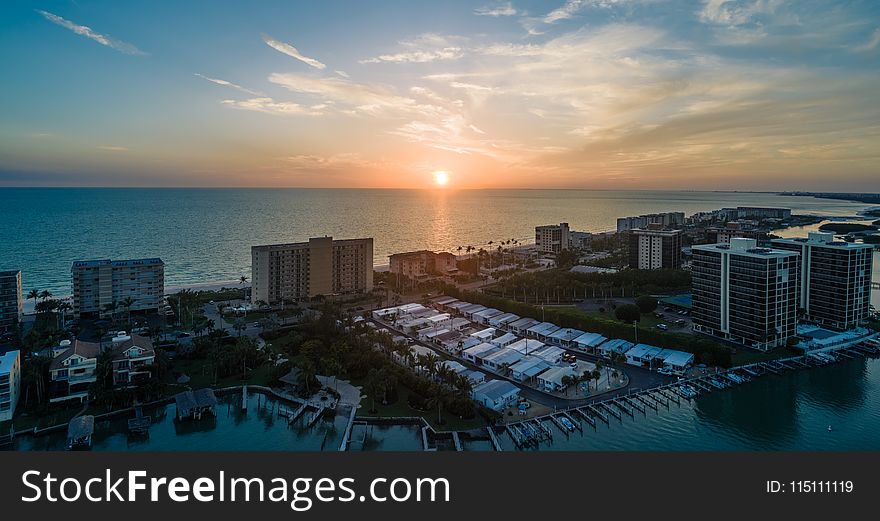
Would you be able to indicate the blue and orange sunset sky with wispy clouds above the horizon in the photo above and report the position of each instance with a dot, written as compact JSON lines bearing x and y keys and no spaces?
{"x":605,"y":94}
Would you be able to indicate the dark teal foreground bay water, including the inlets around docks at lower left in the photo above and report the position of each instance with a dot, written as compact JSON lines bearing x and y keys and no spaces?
{"x":791,"y":411}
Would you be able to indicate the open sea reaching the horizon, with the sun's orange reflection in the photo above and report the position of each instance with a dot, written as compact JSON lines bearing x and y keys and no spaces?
{"x":205,"y":235}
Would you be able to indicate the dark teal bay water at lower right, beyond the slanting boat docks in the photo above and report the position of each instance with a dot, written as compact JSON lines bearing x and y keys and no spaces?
{"x":787,"y":412}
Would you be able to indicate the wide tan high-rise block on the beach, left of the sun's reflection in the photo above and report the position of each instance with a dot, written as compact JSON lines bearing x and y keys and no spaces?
{"x":300,"y":271}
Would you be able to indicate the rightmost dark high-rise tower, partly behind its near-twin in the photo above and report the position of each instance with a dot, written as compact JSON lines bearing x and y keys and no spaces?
{"x":835,"y":279}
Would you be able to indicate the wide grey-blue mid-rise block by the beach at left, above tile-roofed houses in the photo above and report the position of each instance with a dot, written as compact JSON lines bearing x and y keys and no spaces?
{"x":98,"y":284}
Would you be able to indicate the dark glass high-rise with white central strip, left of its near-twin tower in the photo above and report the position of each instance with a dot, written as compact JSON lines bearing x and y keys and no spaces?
{"x":745,"y":294}
